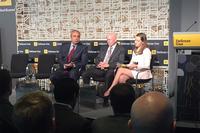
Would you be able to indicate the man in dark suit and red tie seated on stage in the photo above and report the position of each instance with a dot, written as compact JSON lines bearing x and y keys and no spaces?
{"x":72,"y":58}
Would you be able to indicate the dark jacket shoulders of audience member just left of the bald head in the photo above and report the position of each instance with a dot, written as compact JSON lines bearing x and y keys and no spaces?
{"x":111,"y":124}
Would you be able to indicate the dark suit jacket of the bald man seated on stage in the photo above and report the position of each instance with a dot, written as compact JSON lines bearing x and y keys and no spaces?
{"x":116,"y":57}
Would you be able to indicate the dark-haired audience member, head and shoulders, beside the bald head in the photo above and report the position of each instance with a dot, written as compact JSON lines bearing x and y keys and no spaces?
{"x":122,"y":96}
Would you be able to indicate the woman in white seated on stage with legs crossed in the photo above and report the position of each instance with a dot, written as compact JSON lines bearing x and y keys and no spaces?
{"x":141,"y":59}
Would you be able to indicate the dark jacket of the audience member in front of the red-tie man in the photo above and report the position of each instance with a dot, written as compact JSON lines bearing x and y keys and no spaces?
{"x":69,"y":122}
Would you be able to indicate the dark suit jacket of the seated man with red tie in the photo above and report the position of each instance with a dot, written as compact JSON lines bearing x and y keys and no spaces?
{"x":80,"y":56}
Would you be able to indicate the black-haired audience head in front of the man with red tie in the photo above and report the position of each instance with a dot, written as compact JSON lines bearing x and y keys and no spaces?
{"x":66,"y":90}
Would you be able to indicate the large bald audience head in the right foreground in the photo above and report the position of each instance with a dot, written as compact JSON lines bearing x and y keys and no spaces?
{"x":152,"y":113}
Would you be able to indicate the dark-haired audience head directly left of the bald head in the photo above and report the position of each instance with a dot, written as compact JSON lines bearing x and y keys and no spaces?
{"x":122,"y":96}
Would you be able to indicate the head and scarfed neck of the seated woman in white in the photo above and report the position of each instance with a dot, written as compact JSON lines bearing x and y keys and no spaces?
{"x":140,"y":43}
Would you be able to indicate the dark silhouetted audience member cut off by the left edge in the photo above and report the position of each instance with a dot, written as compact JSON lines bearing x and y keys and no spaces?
{"x":6,"y":108}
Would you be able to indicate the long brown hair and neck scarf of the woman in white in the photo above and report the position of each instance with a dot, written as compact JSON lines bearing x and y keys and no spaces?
{"x":140,"y":49}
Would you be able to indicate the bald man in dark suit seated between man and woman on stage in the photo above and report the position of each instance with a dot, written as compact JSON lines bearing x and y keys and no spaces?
{"x":106,"y":63}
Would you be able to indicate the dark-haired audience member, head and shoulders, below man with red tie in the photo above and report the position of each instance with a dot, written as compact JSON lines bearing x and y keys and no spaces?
{"x":66,"y":91}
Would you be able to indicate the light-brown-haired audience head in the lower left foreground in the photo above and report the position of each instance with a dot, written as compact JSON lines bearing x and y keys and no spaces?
{"x":33,"y":113}
